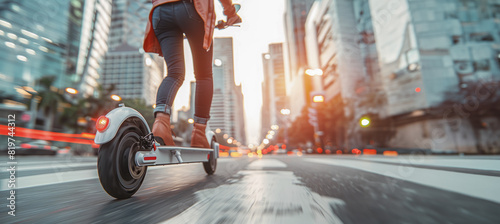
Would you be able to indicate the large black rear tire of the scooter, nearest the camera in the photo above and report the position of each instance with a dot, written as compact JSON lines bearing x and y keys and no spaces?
{"x":118,"y":174}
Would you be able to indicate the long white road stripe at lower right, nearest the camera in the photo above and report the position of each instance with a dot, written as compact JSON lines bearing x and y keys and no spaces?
{"x":479,"y":186}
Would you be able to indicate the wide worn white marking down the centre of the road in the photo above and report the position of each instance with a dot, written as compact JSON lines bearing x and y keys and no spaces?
{"x":257,"y":196}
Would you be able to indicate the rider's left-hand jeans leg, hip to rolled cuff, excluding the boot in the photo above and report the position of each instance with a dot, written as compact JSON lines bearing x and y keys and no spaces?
{"x":171,"y":41}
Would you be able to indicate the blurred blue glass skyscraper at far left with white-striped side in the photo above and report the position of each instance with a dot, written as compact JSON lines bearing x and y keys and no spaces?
{"x":65,"y":40}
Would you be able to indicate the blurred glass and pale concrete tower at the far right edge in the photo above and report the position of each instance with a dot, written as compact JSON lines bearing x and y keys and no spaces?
{"x":428,"y":53}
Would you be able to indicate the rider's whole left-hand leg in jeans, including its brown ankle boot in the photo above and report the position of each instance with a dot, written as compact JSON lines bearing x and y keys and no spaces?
{"x":170,"y":37}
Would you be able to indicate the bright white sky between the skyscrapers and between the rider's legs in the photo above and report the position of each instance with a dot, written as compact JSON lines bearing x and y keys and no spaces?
{"x":262,"y":25}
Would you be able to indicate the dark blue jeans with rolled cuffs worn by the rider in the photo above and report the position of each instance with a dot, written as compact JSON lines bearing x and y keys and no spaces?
{"x":170,"y":22}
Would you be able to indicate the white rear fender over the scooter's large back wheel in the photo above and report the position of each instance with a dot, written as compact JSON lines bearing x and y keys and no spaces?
{"x":116,"y":118}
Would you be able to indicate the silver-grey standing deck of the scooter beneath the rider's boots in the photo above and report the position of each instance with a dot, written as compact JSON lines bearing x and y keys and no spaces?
{"x":166,"y":155}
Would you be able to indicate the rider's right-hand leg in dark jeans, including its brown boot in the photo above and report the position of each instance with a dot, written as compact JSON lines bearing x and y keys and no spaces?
{"x":202,"y":61}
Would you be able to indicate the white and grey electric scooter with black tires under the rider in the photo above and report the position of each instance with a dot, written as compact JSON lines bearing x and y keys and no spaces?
{"x":127,"y":148}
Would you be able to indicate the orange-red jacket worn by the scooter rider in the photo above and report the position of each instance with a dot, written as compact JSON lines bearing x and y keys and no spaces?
{"x":205,"y":9}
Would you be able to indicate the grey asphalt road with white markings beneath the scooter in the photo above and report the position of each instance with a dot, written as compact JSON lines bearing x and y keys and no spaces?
{"x":274,"y":189}
